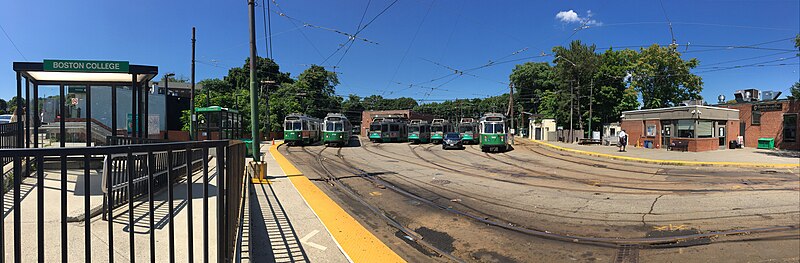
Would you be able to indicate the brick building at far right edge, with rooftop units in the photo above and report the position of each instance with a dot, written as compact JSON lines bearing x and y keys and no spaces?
{"x":776,"y":119}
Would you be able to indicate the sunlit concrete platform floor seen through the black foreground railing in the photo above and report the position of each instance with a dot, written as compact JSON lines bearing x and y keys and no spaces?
{"x":100,"y":243}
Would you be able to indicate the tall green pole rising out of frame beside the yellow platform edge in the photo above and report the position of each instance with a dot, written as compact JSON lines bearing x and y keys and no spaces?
{"x":253,"y":91}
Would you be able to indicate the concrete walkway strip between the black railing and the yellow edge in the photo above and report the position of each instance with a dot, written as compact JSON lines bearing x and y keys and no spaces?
{"x":282,"y":226}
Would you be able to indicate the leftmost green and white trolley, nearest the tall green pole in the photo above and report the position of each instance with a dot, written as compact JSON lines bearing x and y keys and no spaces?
{"x":300,"y":129}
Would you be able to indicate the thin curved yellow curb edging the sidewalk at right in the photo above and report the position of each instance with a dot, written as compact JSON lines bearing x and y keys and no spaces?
{"x":669,"y":162}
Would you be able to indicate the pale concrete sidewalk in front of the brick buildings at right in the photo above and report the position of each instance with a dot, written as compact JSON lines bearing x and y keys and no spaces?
{"x":735,"y":157}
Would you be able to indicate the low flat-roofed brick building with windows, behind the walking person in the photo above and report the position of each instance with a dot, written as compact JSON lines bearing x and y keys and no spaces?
{"x":701,"y":128}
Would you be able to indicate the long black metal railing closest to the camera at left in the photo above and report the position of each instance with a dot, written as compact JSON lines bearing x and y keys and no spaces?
{"x":146,"y":168}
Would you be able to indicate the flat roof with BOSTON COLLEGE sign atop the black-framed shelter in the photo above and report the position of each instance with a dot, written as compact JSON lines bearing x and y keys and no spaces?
{"x":39,"y":73}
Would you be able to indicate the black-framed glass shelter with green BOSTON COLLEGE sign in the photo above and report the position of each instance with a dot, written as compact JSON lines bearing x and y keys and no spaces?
{"x":75,"y":81}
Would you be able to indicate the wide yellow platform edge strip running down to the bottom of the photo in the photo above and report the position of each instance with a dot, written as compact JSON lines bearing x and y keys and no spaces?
{"x":358,"y":243}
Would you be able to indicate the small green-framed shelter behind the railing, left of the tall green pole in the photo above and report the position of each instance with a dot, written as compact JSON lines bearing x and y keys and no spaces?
{"x":219,"y":123}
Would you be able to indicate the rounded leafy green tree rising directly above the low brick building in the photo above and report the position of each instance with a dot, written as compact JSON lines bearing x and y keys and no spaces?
{"x":663,"y":78}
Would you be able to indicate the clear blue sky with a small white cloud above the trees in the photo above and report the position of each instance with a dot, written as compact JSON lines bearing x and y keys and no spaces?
{"x":409,"y":35}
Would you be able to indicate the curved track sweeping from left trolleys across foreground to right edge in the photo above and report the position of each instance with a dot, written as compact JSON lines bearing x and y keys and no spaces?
{"x":647,"y":242}
